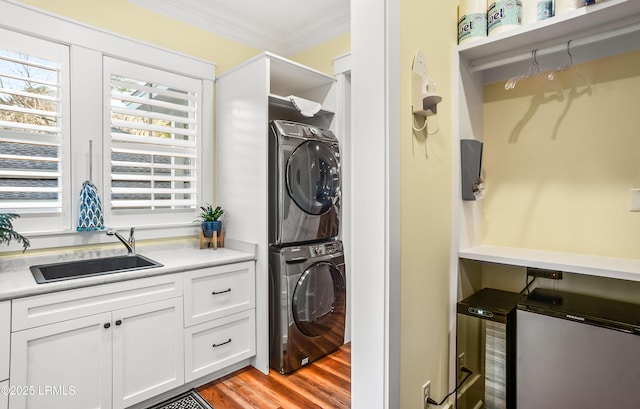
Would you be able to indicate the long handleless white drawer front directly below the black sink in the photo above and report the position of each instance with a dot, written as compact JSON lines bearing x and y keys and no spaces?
{"x":65,"y":305}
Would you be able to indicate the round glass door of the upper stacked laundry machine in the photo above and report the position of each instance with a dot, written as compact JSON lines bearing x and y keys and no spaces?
{"x":313,"y":177}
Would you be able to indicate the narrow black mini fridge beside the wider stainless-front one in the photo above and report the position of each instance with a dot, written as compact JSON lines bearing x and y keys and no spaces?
{"x":486,"y":334}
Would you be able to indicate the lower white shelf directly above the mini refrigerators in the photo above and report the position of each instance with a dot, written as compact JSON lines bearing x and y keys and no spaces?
{"x":611,"y":267}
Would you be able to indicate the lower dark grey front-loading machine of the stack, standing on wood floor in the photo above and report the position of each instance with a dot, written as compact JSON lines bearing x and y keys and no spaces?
{"x":307,"y":293}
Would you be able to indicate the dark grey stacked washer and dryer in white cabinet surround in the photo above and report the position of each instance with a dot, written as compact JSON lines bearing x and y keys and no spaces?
{"x":307,"y":282}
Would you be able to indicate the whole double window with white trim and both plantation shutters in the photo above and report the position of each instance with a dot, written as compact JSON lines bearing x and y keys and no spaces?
{"x":78,"y":104}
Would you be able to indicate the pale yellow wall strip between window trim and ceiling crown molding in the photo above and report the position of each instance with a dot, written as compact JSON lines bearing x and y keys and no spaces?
{"x":122,"y":17}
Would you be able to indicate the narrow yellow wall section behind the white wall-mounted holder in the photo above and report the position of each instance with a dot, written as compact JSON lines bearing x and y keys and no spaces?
{"x":430,"y":26}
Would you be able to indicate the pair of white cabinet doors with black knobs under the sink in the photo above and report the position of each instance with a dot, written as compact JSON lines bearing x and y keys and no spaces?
{"x":108,"y":360}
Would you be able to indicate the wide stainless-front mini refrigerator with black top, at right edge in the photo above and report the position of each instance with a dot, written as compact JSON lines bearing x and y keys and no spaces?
{"x":577,"y":351}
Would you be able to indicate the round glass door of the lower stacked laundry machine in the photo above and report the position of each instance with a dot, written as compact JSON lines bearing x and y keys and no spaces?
{"x":319,"y":299}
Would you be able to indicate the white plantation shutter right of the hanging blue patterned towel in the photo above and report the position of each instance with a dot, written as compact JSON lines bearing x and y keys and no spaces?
{"x":153,"y":139}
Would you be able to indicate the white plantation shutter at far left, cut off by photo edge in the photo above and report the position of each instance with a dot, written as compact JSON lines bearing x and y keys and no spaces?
{"x":33,"y":130}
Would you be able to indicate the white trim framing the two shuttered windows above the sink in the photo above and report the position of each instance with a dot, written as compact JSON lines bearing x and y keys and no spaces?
{"x":87,"y":47}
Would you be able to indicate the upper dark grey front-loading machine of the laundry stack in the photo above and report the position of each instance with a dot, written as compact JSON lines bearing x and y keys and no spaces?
{"x":304,"y":183}
